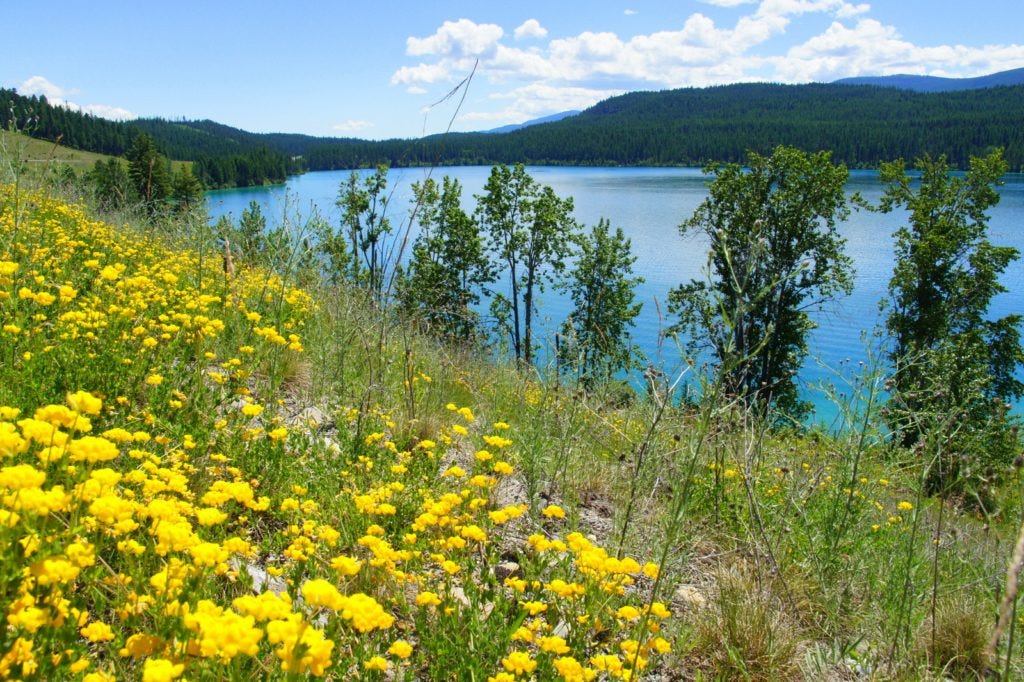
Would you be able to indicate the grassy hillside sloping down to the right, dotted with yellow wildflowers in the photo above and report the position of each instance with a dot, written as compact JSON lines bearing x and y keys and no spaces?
{"x":217,"y":472}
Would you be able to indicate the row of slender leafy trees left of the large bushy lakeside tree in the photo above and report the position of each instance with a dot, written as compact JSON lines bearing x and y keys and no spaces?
{"x":521,"y":241}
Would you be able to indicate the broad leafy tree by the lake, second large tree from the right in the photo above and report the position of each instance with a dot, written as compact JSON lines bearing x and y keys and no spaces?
{"x":776,"y":255}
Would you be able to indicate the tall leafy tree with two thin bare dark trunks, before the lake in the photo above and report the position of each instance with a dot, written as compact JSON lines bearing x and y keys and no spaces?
{"x":530,"y":231}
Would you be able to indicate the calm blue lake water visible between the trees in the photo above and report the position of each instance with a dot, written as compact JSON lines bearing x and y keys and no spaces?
{"x":650,"y":204}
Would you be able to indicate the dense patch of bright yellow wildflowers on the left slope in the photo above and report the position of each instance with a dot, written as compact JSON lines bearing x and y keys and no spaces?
{"x":151,"y":536}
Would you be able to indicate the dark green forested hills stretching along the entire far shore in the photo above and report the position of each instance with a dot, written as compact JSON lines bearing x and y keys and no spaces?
{"x":863,"y":125}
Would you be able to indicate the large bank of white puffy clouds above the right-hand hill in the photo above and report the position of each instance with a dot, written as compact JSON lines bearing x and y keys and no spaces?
{"x":577,"y":71}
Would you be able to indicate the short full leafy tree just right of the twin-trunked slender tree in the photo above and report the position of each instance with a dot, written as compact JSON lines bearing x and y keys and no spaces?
{"x":596,"y":335}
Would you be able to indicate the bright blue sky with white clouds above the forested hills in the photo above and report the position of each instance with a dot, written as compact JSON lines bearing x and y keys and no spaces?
{"x":392,"y":68}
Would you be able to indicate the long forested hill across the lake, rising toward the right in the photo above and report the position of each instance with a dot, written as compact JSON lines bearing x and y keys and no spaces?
{"x":863,"y":125}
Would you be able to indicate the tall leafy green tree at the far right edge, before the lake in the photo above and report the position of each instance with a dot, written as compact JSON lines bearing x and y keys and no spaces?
{"x":954,"y":367}
